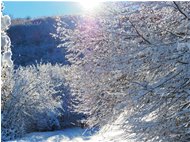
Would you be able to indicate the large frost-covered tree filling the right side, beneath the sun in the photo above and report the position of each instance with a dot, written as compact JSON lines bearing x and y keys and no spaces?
{"x":133,"y":57}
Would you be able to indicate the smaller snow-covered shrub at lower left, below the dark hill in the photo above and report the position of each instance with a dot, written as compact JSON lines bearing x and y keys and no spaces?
{"x":38,"y":97}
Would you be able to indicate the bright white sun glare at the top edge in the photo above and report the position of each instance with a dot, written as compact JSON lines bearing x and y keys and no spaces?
{"x":89,"y":4}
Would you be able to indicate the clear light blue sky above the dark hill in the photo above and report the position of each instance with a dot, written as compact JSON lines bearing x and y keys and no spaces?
{"x":21,"y":9}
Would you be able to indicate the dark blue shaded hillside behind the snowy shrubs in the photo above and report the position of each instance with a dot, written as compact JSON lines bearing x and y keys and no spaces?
{"x":32,"y":42}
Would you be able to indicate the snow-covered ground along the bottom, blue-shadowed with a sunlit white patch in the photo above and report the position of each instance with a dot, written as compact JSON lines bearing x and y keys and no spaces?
{"x":109,"y":133}
